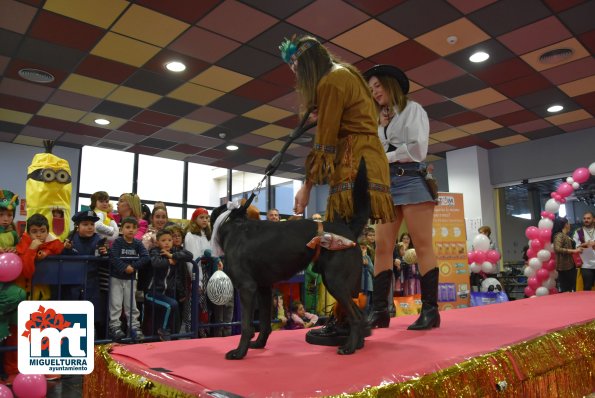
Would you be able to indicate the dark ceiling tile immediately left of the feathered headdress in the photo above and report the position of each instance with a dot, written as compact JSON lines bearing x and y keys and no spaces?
{"x":260,"y":62}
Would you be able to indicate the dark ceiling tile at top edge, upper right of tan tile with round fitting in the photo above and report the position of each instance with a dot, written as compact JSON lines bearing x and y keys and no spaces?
{"x":506,"y":15}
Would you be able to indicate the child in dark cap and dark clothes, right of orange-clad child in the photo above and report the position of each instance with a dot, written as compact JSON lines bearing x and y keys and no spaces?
{"x":84,"y":241}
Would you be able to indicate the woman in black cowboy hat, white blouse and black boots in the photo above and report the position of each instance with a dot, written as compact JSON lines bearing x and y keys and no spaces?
{"x":403,"y":128}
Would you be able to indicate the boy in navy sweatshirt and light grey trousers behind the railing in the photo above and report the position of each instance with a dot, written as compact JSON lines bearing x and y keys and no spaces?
{"x":128,"y":255}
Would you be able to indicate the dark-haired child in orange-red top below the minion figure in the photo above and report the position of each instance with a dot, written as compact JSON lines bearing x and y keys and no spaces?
{"x":35,"y":245}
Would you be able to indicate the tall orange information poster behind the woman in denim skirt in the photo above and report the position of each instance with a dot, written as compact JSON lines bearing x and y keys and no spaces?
{"x":450,"y":245}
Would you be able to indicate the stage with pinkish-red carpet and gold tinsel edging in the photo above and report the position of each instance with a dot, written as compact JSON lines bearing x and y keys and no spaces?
{"x":530,"y":347}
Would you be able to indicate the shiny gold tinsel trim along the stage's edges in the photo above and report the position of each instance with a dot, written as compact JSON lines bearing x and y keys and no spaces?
{"x":558,"y":364}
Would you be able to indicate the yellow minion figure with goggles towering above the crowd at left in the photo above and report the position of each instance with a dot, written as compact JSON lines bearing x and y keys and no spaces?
{"x":49,"y":190}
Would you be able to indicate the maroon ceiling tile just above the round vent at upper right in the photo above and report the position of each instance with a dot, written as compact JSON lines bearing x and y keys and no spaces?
{"x":534,"y":36}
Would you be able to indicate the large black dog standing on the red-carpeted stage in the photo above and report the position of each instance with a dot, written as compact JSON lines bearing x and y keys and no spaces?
{"x":260,"y":253}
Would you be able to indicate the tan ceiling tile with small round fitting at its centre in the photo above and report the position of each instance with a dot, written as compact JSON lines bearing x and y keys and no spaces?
{"x":467,"y":33}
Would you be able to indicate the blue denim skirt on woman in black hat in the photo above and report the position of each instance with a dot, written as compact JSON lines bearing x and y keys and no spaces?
{"x":407,"y":189}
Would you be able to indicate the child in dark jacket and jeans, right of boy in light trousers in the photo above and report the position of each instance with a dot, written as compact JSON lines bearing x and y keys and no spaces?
{"x":165,"y":288}
